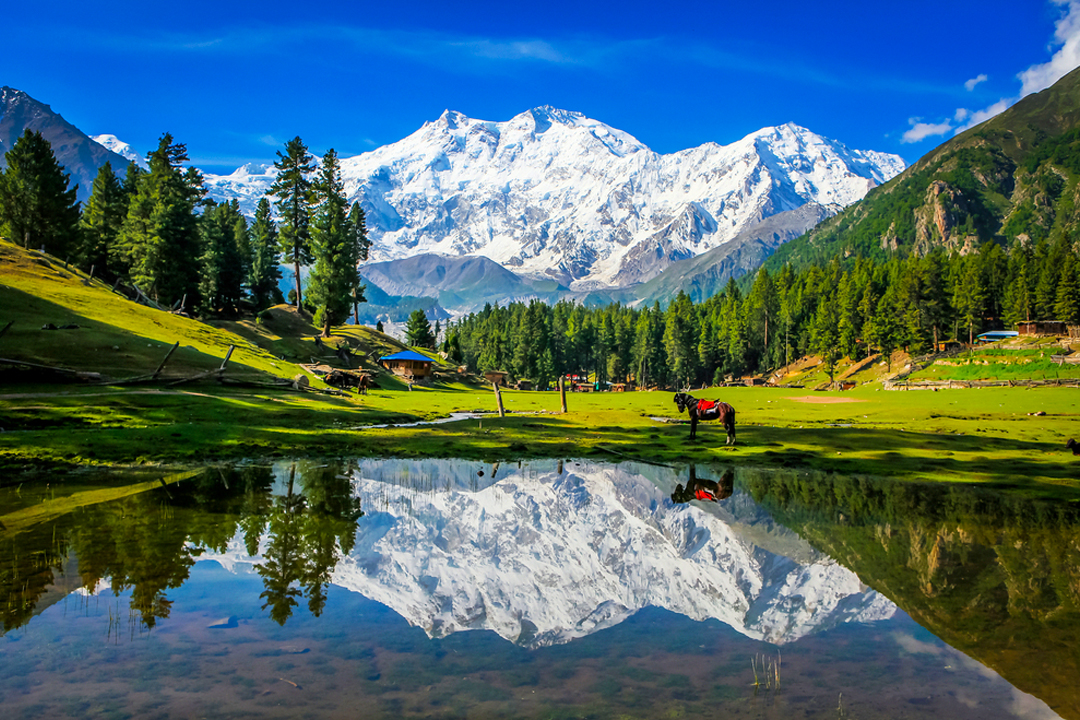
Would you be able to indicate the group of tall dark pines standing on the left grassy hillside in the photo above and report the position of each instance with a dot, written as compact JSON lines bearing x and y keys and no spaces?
{"x":158,"y":230}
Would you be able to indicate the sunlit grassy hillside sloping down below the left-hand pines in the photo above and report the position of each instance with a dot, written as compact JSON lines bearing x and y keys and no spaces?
{"x":119,"y":338}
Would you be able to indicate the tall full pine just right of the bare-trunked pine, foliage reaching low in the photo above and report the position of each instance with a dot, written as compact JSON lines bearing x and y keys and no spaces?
{"x":334,"y":277}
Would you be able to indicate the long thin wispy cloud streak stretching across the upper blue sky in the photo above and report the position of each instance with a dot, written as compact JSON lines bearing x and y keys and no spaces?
{"x":480,"y":55}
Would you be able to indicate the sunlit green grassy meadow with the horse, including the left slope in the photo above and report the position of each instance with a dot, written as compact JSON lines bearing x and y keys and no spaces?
{"x":980,"y":436}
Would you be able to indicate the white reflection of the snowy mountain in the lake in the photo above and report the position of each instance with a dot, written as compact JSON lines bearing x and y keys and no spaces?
{"x":544,"y":555}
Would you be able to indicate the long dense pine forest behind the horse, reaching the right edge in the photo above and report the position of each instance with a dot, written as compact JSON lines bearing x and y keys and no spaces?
{"x":843,"y":308}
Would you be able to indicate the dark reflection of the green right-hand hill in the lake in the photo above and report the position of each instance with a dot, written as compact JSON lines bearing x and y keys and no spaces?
{"x":996,"y":576}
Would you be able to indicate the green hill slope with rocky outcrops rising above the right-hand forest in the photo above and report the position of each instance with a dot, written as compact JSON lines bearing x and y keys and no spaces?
{"x":1015,"y":176}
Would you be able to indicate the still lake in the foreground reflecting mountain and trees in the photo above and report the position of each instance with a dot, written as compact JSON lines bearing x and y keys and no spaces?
{"x":442,"y":589}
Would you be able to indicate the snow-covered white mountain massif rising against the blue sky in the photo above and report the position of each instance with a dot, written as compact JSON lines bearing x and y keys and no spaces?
{"x":553,"y":194}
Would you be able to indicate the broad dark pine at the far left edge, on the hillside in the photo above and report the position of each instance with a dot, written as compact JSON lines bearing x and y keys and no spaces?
{"x":36,"y":206}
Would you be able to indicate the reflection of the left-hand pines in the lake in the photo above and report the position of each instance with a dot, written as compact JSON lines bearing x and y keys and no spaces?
{"x":147,"y":544}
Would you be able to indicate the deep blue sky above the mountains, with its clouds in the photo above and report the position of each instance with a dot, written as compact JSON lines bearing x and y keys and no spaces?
{"x":235,"y":80}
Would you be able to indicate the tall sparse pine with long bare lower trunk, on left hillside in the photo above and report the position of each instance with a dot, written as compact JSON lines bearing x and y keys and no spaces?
{"x":295,"y":196}
